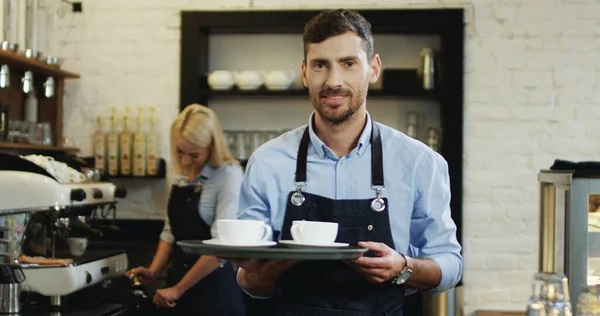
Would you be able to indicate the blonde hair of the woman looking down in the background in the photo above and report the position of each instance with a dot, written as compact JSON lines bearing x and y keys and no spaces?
{"x":200,"y":126}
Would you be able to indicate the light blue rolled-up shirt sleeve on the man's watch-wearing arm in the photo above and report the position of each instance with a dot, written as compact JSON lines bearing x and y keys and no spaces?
{"x":433,"y":232}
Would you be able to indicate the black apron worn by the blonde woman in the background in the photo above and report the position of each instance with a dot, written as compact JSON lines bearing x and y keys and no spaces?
{"x":217,"y":294}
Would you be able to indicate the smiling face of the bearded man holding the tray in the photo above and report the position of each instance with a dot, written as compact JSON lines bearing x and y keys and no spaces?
{"x":337,"y":73}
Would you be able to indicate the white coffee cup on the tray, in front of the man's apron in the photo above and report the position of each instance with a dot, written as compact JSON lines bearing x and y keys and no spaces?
{"x":314,"y":233}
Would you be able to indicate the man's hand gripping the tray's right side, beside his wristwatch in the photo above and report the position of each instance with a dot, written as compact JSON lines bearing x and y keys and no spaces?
{"x":384,"y":267}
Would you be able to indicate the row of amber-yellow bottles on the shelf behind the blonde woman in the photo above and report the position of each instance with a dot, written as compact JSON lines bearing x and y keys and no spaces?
{"x":127,"y":152}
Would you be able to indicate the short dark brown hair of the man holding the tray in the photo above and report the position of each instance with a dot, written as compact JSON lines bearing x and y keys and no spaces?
{"x":336,"y":22}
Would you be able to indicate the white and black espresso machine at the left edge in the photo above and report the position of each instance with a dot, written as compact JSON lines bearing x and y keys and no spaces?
{"x":47,"y":211}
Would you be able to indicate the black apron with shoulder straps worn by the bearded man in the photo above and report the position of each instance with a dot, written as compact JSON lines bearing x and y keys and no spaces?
{"x":333,"y":288}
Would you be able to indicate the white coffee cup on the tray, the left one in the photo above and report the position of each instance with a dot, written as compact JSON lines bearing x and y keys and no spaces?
{"x":243,"y":231}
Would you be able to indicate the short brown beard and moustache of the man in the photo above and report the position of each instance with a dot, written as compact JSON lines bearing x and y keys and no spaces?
{"x":337,"y":118}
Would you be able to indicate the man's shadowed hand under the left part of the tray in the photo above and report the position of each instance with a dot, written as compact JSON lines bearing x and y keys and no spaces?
{"x":260,"y":276}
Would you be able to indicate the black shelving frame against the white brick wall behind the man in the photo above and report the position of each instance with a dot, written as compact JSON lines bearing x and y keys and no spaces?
{"x":447,"y":24}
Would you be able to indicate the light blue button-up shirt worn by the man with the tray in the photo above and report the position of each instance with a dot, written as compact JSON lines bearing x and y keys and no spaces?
{"x":416,"y":185}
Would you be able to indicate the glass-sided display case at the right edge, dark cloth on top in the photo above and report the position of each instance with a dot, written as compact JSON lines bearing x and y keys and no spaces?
{"x":570,"y":224}
